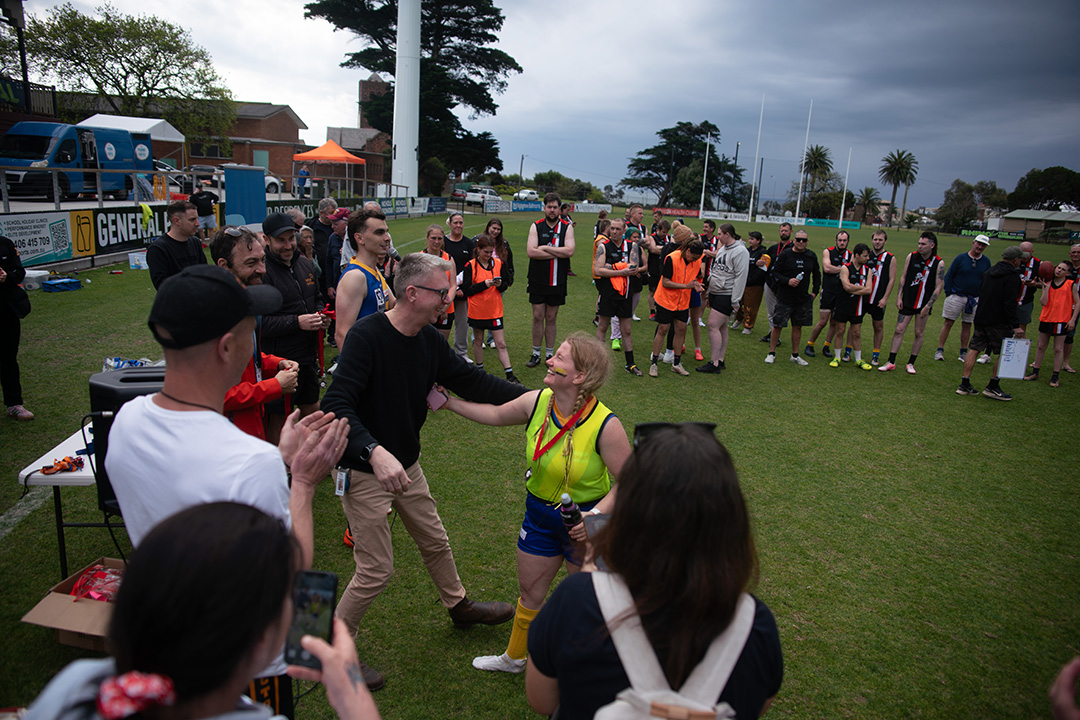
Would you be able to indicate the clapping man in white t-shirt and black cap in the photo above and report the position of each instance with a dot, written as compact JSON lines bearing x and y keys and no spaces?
{"x":175,"y":450}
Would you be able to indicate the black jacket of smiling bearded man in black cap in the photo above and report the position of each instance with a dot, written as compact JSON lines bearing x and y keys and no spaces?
{"x":300,"y":291}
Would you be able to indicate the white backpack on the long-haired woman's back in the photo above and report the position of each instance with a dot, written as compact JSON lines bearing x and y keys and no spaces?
{"x":650,"y":696}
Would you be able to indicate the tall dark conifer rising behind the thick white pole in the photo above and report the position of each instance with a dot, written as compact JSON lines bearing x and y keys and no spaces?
{"x":458,"y":69}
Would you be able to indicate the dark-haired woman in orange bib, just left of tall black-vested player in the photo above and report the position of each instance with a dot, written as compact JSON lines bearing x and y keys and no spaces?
{"x":482,"y":282}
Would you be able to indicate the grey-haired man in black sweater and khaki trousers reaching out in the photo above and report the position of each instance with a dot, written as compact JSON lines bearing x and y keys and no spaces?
{"x":394,"y":360}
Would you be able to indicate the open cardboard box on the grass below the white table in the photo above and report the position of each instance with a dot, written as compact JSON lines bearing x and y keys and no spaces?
{"x":82,"y":622}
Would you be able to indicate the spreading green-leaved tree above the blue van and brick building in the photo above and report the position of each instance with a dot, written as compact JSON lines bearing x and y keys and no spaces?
{"x":134,"y":65}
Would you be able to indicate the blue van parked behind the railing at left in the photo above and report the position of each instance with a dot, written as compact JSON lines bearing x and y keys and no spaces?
{"x":44,"y":146}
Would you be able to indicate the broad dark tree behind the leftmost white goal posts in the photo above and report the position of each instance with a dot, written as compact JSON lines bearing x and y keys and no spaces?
{"x":657,"y":169}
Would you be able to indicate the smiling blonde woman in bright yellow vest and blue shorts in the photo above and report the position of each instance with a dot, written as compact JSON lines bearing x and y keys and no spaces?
{"x":575,"y":445}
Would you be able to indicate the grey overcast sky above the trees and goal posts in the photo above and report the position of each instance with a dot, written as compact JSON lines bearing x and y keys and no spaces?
{"x":975,"y":90}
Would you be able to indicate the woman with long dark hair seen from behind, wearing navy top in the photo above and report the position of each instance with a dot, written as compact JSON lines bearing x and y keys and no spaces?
{"x":680,"y":514}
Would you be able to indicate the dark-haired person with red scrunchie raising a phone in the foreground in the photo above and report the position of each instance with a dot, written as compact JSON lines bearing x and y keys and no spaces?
{"x":196,"y":654}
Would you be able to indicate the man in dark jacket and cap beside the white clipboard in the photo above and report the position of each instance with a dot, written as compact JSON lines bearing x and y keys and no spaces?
{"x":997,"y":318}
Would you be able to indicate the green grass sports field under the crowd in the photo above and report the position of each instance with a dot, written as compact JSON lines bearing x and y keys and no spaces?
{"x":919,"y":549}
